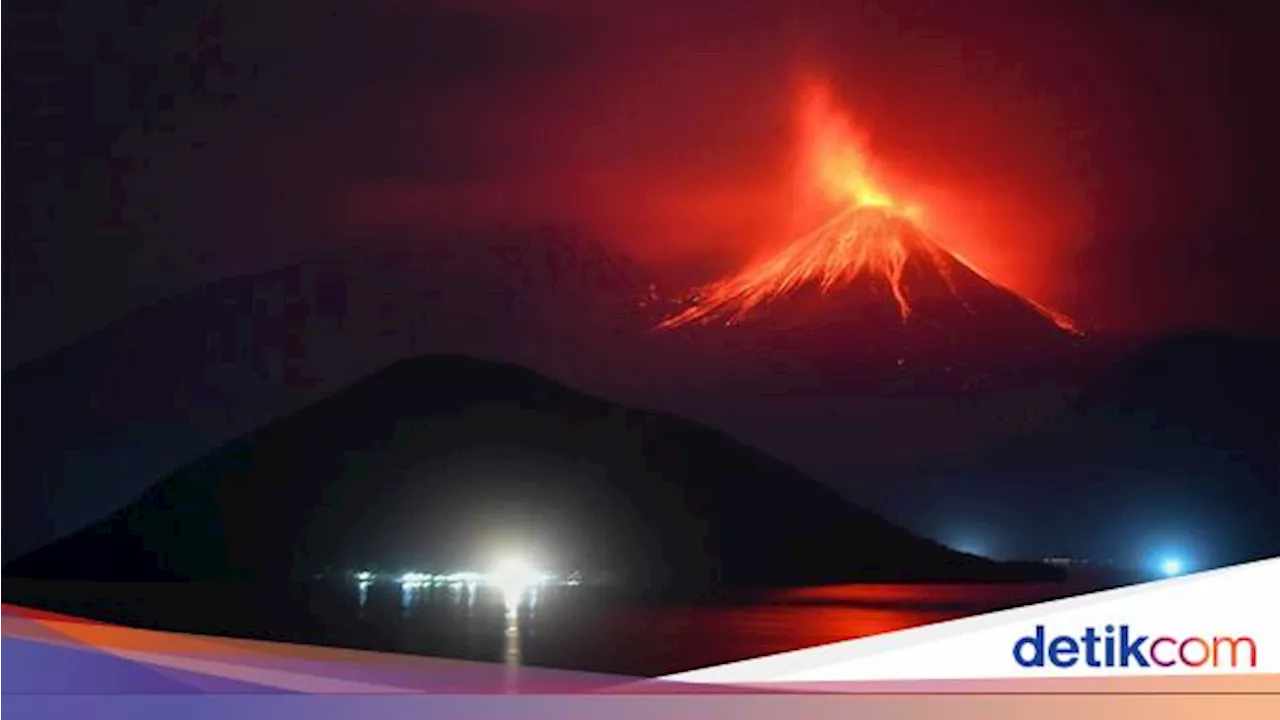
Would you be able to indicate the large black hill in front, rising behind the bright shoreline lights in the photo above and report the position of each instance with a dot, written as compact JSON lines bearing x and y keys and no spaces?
{"x":436,"y":461}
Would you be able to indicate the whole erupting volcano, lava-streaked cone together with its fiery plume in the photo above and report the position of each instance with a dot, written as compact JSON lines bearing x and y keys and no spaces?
{"x":868,"y":299}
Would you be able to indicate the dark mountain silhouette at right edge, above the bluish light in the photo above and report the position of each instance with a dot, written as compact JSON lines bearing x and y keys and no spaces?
{"x":1178,"y":444}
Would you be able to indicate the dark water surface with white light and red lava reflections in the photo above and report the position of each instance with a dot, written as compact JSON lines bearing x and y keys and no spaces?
{"x":561,"y":627}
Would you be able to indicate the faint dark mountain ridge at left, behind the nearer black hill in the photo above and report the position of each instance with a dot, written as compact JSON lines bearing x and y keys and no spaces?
{"x":89,"y":426}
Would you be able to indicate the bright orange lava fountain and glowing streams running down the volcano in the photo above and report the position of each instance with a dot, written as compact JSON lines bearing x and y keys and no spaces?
{"x":868,"y":234}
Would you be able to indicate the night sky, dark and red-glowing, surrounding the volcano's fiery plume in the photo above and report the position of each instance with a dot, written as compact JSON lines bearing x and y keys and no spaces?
{"x":1109,"y":160}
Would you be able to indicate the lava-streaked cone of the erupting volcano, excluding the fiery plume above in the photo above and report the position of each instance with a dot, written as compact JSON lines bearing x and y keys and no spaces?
{"x":842,"y":312}
